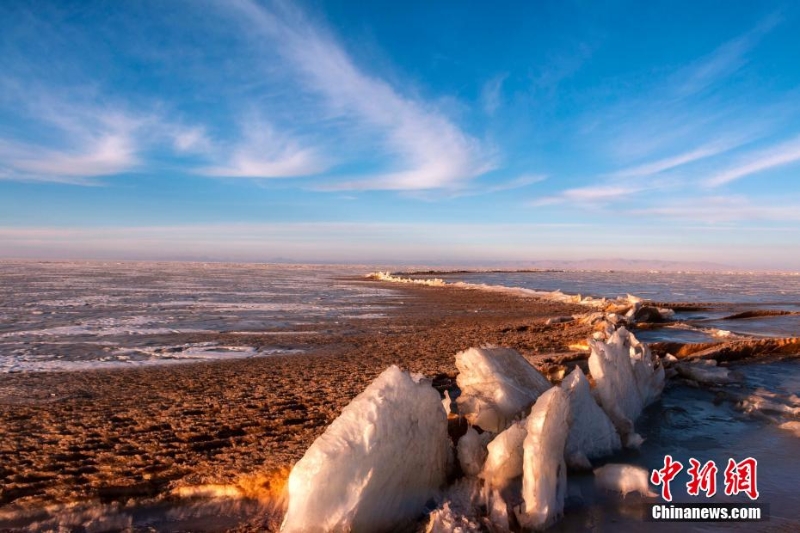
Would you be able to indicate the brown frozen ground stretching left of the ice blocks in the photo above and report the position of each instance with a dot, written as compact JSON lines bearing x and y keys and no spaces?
{"x":142,"y":433}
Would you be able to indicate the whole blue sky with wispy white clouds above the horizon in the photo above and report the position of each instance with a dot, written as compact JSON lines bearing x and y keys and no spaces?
{"x":401,"y":131}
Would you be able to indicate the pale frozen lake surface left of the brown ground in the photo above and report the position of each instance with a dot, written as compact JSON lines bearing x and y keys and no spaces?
{"x":70,"y":316}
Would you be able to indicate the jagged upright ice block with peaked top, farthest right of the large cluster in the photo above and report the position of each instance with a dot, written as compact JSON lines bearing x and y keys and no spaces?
{"x":627,"y":378}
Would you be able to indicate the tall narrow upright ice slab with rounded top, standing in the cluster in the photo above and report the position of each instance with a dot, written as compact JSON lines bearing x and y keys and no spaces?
{"x":544,"y":478}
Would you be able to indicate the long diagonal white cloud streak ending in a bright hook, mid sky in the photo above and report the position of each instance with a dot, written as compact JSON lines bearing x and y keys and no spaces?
{"x":429,"y":149}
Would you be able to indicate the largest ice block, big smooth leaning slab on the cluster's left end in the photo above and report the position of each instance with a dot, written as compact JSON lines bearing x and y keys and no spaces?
{"x":376,"y":465}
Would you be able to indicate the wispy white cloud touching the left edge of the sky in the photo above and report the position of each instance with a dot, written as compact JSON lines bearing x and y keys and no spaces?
{"x":83,"y":137}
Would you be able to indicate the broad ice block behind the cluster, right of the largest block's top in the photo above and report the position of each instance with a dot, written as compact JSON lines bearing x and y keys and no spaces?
{"x":497,"y":384}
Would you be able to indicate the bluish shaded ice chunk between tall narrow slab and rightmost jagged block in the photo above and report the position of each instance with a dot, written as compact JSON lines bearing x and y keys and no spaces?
{"x":591,"y":434}
